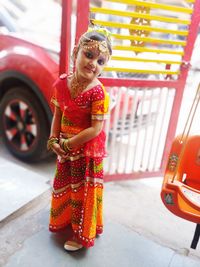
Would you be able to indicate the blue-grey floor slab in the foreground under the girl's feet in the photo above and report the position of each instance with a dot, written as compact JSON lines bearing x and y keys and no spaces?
{"x":119,"y":246}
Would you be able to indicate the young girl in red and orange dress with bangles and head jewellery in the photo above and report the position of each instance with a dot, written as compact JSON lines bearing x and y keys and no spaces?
{"x":81,"y":105}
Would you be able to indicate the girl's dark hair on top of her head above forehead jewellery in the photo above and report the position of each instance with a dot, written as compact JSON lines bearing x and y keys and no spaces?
{"x":94,"y":35}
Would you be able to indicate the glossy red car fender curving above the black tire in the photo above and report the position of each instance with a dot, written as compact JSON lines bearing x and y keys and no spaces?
{"x":30,"y":61}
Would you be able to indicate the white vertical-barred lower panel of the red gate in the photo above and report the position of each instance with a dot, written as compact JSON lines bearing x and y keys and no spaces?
{"x":136,"y":129}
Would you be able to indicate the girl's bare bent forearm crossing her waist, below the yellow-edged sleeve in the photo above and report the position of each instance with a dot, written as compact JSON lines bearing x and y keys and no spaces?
{"x":86,"y":134}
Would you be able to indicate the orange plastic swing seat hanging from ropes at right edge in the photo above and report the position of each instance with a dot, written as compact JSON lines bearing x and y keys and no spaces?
{"x":181,"y":185}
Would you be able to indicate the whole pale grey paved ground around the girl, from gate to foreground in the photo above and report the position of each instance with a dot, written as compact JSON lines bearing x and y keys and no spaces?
{"x":139,"y":231}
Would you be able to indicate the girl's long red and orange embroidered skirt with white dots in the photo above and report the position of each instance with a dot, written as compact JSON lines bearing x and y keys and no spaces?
{"x":77,"y":197}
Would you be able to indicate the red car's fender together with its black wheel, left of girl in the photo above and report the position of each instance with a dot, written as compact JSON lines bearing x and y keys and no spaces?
{"x":27,"y":72}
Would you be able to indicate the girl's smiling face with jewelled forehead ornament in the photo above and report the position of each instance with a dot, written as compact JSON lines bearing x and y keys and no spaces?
{"x":90,"y":62}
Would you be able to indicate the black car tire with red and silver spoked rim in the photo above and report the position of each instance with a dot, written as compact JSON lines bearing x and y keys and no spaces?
{"x":24,"y":125}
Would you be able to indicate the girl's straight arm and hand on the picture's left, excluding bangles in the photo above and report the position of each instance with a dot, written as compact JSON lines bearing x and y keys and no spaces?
{"x":55,"y":131}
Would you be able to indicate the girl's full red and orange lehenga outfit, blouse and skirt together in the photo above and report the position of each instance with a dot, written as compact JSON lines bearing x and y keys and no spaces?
{"x":78,"y":183}
